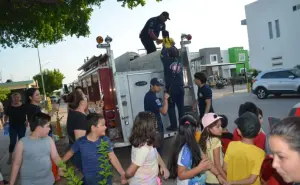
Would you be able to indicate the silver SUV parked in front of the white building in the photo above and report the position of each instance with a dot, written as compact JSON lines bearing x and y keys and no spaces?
{"x":276,"y":82}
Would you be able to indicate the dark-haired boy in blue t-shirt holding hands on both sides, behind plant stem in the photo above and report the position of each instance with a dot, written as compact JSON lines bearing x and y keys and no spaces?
{"x":88,"y":147}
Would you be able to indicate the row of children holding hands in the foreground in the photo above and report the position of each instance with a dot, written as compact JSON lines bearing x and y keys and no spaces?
{"x":216,"y":157}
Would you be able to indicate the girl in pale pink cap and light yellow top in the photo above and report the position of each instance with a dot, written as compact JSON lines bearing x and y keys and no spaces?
{"x":210,"y":144}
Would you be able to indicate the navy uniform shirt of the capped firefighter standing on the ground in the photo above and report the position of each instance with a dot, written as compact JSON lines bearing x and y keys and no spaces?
{"x":153,"y":104}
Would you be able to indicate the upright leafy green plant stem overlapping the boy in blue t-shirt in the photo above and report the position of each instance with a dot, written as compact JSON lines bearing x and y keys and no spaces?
{"x":105,"y":166}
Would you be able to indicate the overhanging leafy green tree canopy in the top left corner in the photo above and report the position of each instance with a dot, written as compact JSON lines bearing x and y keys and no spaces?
{"x":33,"y":22}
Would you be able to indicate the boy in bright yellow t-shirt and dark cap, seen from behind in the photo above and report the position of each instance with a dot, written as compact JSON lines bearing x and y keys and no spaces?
{"x":243,"y":159}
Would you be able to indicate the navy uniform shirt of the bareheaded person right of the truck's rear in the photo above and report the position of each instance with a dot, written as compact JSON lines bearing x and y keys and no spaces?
{"x":204,"y":93}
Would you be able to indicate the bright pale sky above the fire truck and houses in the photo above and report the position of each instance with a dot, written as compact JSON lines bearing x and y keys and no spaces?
{"x":212,"y":23}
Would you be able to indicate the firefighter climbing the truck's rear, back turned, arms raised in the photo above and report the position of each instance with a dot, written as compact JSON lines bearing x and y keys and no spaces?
{"x":173,"y":73}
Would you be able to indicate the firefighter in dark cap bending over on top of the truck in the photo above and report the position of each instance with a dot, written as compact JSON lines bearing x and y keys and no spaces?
{"x":151,"y":31}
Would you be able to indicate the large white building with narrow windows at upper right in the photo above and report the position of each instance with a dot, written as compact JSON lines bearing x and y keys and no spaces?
{"x":274,"y":33}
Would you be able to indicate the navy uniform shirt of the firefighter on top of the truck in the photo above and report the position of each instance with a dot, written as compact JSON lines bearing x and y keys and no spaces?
{"x":155,"y":24}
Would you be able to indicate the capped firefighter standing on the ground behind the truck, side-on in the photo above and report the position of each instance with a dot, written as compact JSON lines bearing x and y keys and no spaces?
{"x":154,"y":105}
